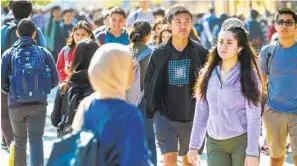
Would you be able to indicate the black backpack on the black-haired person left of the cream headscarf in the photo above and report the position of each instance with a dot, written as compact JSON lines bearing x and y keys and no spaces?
{"x":73,"y":95}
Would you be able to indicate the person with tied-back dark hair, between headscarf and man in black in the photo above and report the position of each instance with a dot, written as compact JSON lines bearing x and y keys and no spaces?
{"x":139,"y":37}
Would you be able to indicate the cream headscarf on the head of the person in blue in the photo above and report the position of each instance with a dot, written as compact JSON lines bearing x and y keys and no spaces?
{"x":111,"y":71}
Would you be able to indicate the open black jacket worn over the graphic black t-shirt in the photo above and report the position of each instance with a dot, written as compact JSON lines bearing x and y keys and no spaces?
{"x":154,"y":81}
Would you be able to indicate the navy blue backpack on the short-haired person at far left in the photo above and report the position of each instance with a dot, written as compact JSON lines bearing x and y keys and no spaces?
{"x":30,"y":78}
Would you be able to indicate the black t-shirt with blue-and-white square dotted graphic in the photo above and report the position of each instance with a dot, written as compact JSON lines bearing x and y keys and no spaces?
{"x":178,"y":102}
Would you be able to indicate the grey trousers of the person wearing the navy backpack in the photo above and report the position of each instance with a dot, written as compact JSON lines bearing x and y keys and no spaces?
{"x":31,"y":120}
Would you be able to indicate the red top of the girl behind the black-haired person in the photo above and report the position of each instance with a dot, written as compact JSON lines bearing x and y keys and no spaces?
{"x":61,"y":63}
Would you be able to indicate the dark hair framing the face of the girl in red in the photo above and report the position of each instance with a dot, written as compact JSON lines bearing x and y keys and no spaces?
{"x":80,"y":24}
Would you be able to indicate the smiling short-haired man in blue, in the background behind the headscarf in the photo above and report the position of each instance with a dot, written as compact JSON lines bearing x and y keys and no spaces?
{"x":116,"y":33}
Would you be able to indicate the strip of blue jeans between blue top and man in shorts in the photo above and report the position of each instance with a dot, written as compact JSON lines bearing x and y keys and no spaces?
{"x":149,"y":132}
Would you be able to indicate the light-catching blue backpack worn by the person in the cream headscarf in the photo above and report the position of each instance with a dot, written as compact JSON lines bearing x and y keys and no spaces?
{"x":80,"y":148}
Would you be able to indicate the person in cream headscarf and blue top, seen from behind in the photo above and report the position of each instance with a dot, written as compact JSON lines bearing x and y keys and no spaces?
{"x":121,"y":133}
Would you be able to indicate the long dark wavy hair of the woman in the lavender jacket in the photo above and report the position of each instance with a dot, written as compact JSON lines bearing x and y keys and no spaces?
{"x":247,"y":58}
